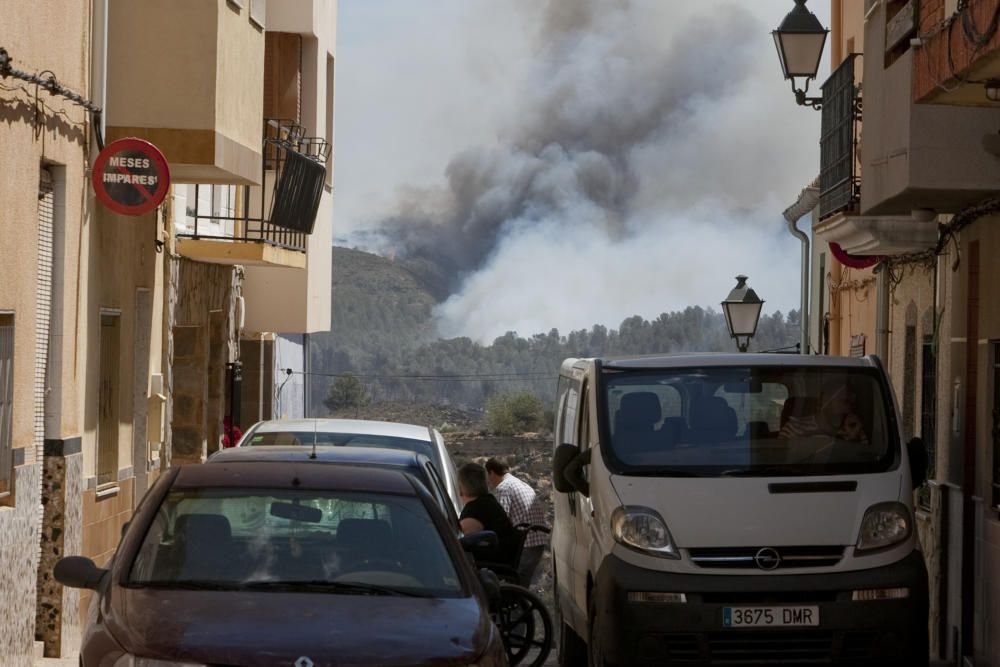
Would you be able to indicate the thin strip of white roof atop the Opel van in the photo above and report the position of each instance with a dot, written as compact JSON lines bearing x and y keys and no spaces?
{"x":711,"y":360}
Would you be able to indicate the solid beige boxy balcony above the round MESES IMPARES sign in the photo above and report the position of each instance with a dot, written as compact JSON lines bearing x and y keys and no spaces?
{"x":186,"y":75}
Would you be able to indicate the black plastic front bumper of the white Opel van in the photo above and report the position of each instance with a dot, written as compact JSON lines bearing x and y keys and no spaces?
{"x":884,"y":632}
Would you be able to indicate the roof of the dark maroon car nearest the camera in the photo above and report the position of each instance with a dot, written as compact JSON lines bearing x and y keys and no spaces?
{"x":293,"y":475}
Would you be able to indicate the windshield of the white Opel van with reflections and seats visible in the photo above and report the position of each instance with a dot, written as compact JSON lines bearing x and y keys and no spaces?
{"x":773,"y":421}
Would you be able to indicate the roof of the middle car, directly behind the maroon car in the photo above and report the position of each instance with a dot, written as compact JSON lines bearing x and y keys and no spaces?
{"x":323,"y":454}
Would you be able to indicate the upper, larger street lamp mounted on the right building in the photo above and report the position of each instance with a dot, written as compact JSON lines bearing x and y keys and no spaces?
{"x":800,"y":39}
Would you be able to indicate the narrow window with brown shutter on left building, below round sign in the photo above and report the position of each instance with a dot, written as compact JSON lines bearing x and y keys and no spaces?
{"x":107,"y":401}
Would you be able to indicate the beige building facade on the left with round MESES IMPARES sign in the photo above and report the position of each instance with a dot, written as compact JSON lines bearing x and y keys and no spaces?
{"x":122,"y":338}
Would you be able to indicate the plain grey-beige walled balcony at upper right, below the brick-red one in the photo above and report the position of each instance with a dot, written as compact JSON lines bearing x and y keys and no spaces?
{"x":917,"y":156}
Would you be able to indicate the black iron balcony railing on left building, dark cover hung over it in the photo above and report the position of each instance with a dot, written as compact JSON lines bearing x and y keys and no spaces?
{"x":282,"y":211}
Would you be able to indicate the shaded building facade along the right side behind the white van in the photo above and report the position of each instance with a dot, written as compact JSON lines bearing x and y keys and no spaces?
{"x":907,"y":246}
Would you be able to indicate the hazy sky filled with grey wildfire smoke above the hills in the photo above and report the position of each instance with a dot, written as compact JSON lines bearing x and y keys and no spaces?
{"x":565,"y":163}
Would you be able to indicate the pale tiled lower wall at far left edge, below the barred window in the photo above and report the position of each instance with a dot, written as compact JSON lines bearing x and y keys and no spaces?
{"x":18,"y":563}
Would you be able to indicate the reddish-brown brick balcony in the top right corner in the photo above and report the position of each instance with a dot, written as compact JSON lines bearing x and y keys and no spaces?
{"x":958,"y":54}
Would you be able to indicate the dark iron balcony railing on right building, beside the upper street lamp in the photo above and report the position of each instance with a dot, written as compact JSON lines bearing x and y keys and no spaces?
{"x":839,"y":177}
